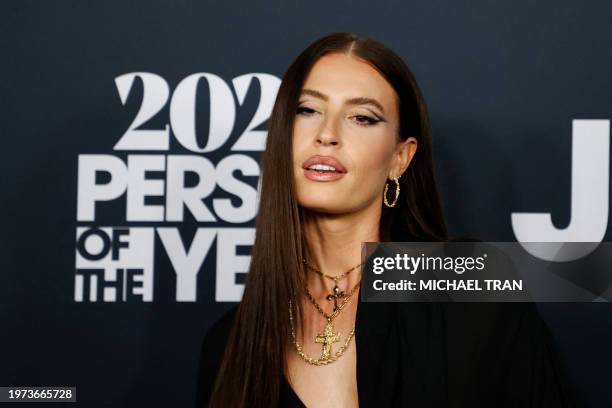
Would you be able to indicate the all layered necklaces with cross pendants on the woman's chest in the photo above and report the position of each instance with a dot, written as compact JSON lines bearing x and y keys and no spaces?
{"x":328,"y":336}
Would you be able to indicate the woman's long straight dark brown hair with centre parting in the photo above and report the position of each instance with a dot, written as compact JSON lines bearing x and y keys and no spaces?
{"x":253,"y":363}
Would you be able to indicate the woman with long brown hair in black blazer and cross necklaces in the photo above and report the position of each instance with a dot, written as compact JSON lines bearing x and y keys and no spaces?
{"x":349,"y":160}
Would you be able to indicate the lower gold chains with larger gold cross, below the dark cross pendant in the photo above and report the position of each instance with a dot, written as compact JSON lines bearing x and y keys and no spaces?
{"x":327,"y":337}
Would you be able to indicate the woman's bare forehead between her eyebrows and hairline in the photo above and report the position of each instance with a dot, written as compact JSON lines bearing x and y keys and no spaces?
{"x":341,"y":76}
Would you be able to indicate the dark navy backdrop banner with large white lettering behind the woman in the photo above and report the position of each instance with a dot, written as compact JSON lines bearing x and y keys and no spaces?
{"x":131,"y":139}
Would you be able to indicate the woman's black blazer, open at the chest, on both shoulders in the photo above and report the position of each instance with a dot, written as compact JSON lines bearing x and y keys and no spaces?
{"x":425,"y":354}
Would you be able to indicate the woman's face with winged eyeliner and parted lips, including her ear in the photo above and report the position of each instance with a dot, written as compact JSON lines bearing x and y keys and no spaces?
{"x":347,"y":113}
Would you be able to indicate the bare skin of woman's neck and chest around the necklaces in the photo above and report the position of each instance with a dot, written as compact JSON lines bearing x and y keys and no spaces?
{"x":335,"y":247}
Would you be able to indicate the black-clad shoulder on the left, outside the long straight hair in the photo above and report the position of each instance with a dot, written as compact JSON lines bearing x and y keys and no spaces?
{"x":211,"y":352}
